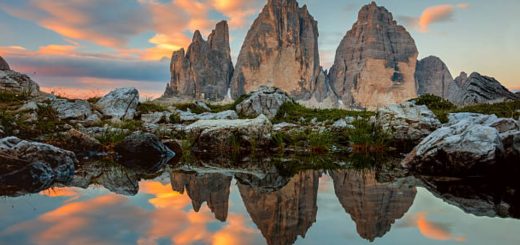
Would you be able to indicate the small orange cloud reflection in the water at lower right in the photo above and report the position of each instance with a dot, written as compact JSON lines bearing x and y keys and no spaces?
{"x":434,"y":231}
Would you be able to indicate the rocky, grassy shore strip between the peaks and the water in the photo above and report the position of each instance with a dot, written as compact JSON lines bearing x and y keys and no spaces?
{"x":45,"y":138}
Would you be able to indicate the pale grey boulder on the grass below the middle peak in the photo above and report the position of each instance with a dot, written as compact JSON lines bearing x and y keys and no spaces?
{"x":266,"y":101}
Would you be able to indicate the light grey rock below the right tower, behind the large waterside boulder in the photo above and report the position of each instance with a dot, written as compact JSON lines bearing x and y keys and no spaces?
{"x":408,"y":121}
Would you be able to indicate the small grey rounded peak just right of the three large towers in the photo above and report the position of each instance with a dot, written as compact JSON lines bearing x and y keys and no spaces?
{"x":434,"y":77}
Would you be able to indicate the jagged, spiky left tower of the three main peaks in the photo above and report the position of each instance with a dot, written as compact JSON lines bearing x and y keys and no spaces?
{"x":205,"y":70}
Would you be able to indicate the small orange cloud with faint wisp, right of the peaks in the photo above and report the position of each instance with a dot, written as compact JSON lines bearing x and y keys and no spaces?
{"x":433,"y":14}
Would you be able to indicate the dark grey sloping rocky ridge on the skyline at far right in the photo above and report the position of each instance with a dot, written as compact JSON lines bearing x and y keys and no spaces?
{"x":479,"y":89}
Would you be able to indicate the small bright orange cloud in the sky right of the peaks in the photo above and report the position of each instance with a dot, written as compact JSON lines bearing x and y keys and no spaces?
{"x":436,"y":14}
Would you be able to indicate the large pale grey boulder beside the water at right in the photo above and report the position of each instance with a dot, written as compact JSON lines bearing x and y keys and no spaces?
{"x":463,"y":148}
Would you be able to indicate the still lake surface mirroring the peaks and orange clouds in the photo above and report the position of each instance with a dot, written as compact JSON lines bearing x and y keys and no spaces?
{"x":111,"y":204}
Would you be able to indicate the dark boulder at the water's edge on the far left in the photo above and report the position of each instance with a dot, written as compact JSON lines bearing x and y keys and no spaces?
{"x":61,"y":162}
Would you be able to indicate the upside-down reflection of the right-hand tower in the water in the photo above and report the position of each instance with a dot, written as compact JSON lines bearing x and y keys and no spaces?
{"x":372,"y":205}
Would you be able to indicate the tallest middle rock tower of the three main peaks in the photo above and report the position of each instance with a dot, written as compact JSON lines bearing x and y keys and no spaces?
{"x":280,"y":50}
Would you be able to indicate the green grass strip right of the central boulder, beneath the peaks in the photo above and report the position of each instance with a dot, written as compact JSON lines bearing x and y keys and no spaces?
{"x":293,"y":112}
